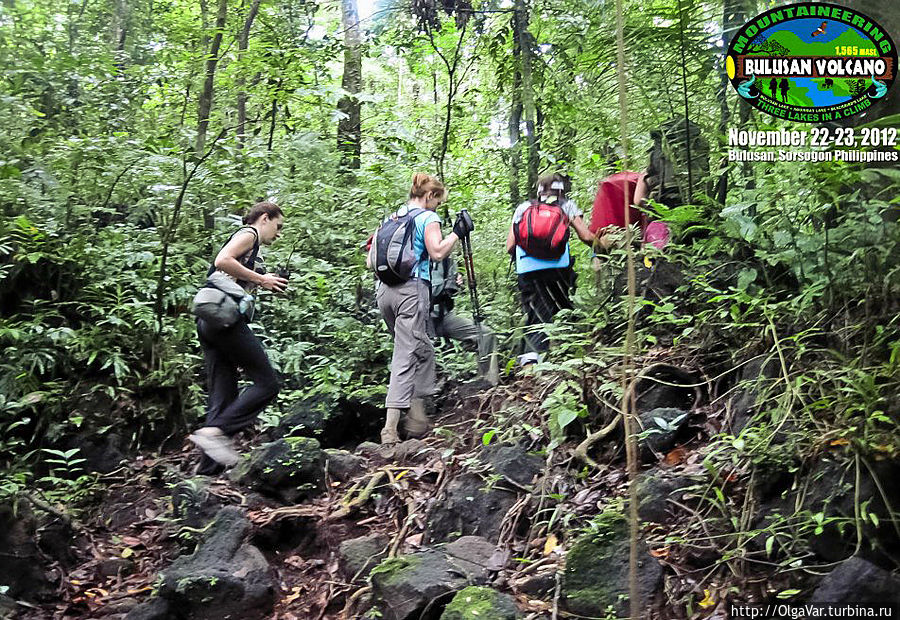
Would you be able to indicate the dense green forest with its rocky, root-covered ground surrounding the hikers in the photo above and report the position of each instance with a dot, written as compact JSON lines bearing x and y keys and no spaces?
{"x":136,"y":132}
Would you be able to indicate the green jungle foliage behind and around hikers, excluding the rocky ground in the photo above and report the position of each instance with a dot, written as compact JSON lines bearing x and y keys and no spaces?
{"x":116,"y":189}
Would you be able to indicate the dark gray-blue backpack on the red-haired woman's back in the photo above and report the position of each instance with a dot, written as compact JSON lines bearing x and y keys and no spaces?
{"x":393,"y":256}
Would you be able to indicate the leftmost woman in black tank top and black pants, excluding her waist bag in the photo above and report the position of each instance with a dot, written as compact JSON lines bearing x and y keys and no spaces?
{"x":226,"y":350}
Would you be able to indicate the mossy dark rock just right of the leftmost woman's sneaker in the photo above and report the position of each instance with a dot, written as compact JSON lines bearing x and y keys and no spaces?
{"x":290,"y":469}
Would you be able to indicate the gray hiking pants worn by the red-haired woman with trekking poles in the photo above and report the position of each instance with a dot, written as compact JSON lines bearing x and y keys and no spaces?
{"x":405,"y":310}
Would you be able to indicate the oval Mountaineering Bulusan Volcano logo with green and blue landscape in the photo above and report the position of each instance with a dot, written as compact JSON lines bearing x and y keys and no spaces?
{"x":812,"y":62}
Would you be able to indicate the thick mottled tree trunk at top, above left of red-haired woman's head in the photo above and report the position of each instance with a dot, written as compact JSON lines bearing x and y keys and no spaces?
{"x":349,"y":132}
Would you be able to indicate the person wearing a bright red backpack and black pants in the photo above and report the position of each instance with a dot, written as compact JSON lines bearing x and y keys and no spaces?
{"x":539,"y":239}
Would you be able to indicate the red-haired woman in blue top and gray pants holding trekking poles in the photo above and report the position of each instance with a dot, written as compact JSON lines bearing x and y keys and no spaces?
{"x":401,"y":251}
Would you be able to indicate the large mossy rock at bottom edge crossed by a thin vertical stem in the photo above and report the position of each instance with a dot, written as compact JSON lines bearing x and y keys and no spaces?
{"x":596,"y":575}
